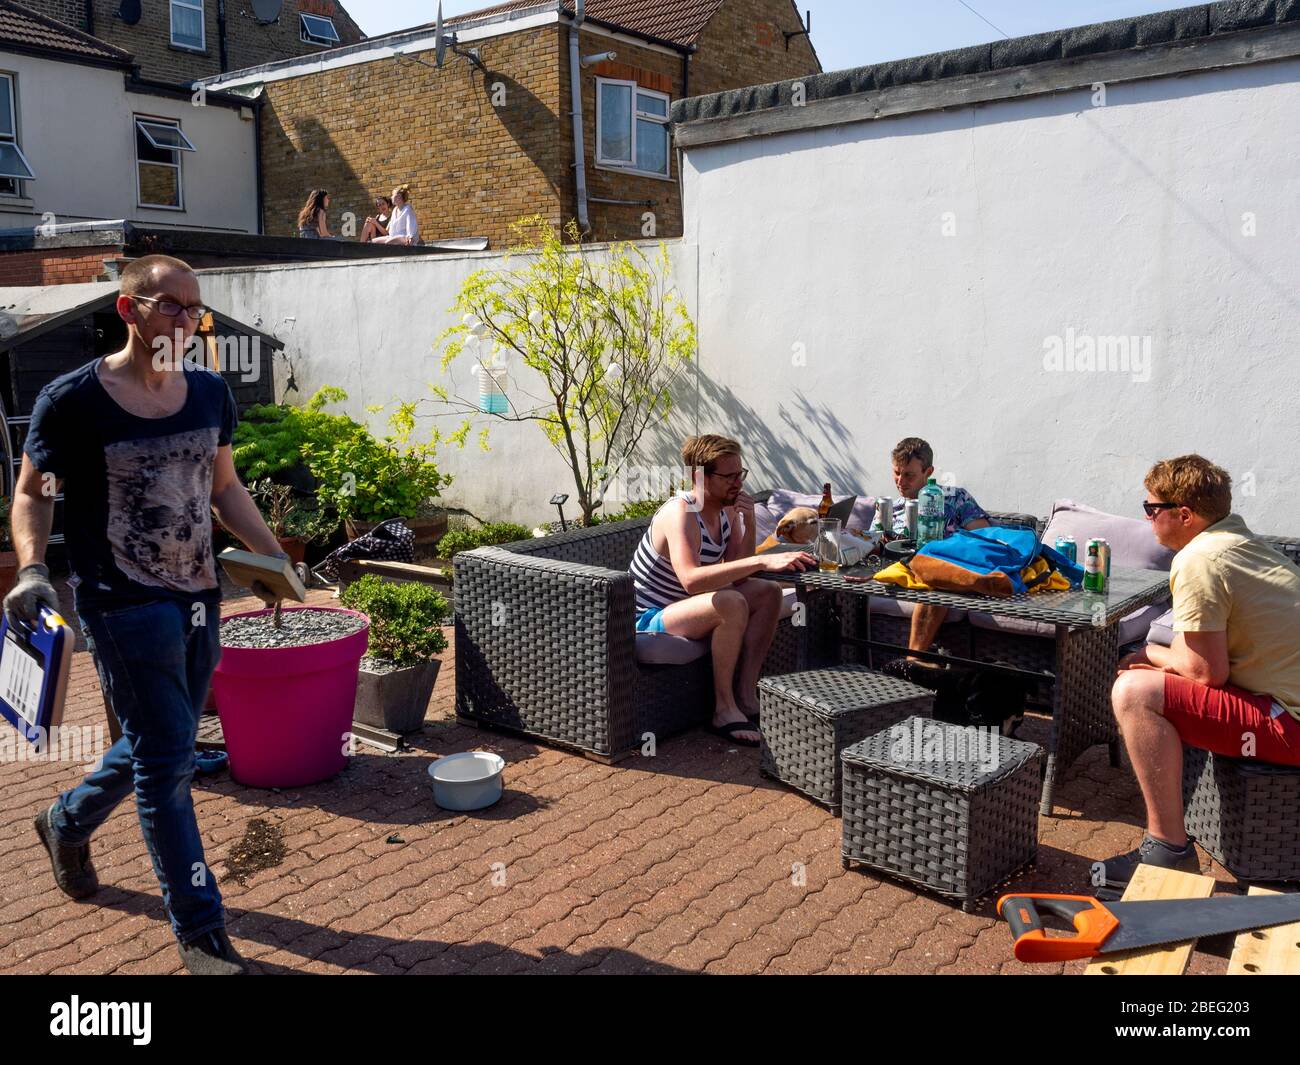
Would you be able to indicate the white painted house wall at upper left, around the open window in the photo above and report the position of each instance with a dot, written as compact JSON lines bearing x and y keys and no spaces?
{"x":76,"y":128}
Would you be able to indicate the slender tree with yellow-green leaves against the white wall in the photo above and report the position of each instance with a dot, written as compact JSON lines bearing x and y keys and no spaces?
{"x":604,"y":331}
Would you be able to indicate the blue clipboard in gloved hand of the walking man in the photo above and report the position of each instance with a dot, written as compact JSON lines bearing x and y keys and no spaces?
{"x":34,"y":668}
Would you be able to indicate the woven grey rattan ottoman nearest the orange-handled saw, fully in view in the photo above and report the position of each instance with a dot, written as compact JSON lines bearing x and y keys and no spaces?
{"x":951,"y":808}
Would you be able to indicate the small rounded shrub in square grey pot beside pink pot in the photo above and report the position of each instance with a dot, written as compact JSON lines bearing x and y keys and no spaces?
{"x":400,"y":672}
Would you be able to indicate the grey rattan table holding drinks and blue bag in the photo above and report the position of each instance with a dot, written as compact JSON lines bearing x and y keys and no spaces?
{"x":1087,"y":646}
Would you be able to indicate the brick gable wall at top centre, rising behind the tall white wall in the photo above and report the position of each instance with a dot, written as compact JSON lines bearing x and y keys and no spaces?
{"x":743,"y":45}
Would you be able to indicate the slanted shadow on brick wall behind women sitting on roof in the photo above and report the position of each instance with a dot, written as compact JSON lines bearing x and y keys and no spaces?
{"x":283,"y":150}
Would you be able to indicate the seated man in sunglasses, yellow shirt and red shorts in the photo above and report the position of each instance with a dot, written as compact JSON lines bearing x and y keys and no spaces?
{"x":1230,"y":682}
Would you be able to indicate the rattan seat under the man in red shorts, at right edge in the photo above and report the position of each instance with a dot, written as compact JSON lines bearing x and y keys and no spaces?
{"x":1243,"y":813}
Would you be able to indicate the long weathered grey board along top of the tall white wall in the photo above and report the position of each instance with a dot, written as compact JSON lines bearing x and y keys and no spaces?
{"x":1012,"y":84}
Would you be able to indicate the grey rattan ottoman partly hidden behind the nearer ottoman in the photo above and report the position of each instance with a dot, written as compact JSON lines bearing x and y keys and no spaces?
{"x":808,"y":718}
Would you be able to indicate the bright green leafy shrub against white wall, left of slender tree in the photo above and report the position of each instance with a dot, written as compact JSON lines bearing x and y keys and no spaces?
{"x":370,"y":480}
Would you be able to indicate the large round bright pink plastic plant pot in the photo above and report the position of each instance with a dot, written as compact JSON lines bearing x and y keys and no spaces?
{"x":287,"y":713}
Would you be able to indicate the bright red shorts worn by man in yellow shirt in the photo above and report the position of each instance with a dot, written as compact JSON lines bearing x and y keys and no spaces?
{"x":1217,"y":720}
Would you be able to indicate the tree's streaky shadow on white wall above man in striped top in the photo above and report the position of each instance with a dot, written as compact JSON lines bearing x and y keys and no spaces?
{"x":803,"y":449}
